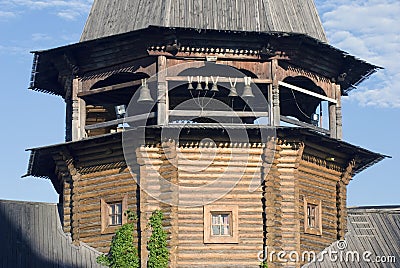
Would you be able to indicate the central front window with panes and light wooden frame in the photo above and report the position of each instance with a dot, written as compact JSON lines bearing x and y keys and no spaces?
{"x":221,"y":224}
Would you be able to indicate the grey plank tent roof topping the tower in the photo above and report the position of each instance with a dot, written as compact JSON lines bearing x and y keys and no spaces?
{"x":110,"y":17}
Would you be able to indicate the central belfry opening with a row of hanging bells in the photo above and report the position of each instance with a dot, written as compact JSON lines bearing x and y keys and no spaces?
{"x":210,"y":89}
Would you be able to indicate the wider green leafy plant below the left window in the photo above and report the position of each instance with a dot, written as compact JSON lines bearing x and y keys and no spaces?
{"x":122,"y":252}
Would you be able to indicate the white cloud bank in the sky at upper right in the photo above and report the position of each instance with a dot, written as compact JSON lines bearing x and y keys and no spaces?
{"x":368,"y":29}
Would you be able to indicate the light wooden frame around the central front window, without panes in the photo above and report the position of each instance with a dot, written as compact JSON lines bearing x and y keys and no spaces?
{"x":232,"y":211}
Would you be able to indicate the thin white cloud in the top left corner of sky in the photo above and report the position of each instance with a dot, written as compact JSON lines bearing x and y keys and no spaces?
{"x":65,"y":9}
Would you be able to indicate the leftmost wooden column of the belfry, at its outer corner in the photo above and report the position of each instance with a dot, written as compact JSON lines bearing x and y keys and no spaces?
{"x":78,"y":112}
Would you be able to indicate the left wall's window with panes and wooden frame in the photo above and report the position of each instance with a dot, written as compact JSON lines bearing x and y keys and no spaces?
{"x":112,"y":214}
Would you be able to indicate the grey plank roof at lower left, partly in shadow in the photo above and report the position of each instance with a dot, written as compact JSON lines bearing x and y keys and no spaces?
{"x":31,"y":235}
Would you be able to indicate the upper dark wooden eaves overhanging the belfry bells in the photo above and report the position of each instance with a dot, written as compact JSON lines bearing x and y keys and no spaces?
{"x":86,"y":58}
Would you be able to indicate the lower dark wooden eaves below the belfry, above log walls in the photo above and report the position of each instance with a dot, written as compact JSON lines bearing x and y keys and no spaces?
{"x":42,"y":165}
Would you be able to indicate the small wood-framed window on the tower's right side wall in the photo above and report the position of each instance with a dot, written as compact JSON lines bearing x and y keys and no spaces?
{"x":312,"y":216}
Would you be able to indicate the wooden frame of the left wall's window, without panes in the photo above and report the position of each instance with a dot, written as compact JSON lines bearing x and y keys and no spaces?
{"x":106,"y":228}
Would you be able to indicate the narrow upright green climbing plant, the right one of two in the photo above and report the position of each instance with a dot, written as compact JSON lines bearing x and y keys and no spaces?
{"x":157,"y":244}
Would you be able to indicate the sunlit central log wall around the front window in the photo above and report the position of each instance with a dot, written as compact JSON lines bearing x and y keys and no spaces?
{"x":201,"y":166}
